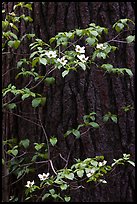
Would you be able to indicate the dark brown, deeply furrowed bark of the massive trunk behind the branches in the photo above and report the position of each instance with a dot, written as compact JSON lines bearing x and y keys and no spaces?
{"x":79,"y":94}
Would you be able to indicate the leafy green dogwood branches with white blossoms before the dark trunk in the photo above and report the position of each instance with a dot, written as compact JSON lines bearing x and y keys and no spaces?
{"x":69,"y":54}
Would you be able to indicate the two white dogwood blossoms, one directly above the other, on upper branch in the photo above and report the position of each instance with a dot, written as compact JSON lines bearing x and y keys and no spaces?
{"x":81,"y":53}
